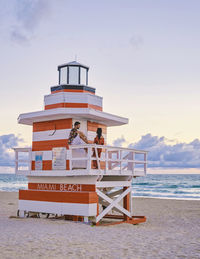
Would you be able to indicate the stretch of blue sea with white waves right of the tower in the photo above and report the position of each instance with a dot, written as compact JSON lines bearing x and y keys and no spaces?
{"x":177,"y":186}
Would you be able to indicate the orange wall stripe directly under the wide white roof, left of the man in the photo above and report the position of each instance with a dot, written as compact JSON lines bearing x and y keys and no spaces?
{"x":52,"y":125}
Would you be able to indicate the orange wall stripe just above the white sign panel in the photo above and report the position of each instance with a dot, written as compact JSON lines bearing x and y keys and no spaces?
{"x":48,"y":144}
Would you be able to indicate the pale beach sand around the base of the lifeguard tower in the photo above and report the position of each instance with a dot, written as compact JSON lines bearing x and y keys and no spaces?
{"x":172,"y":231}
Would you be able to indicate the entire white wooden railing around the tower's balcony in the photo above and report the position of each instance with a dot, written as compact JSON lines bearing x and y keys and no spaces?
{"x":84,"y":159}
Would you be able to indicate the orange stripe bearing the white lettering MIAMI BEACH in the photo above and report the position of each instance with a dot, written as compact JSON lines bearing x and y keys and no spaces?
{"x":62,"y":187}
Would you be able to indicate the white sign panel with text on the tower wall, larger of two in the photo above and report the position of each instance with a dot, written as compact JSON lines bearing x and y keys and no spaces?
{"x":59,"y":158}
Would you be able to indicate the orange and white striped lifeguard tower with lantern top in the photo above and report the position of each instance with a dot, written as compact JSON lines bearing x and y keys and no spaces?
{"x":56,"y":185}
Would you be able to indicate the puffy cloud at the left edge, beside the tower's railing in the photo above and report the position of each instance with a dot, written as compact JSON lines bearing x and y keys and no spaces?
{"x":6,"y":143}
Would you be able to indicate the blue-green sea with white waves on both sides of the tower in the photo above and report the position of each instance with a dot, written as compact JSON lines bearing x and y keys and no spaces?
{"x":167,"y":186}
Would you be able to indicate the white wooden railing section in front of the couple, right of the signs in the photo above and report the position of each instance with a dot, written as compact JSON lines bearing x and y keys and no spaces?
{"x":112,"y":159}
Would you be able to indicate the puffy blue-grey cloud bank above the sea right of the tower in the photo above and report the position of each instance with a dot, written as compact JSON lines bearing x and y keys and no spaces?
{"x":161,"y":154}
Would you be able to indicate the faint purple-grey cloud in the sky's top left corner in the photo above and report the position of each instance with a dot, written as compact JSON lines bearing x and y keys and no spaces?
{"x":23,"y":17}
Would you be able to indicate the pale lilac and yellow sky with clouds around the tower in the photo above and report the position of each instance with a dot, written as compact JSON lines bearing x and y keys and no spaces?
{"x":144,"y":59}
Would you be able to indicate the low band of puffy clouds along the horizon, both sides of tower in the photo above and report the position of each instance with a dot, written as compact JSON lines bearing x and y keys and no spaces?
{"x":161,"y":154}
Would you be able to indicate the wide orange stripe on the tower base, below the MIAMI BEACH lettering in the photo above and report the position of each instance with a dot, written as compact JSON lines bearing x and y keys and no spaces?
{"x":53,"y":196}
